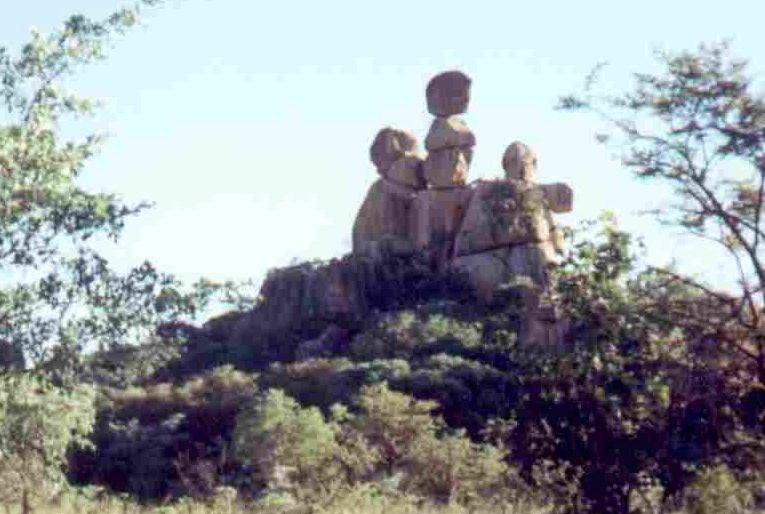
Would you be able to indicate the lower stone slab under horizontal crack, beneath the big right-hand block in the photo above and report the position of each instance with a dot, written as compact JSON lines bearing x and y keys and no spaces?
{"x":486,"y":271}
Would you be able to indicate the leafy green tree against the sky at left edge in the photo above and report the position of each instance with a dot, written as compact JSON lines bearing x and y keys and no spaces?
{"x":75,"y":300}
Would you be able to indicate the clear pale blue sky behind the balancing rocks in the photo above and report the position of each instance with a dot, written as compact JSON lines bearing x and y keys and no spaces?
{"x":249,"y":122}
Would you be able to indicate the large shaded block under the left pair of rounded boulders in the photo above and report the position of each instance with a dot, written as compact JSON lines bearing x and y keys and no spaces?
{"x":382,"y":223}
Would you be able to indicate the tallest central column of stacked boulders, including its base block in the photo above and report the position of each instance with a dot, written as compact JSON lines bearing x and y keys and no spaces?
{"x":437,"y":212}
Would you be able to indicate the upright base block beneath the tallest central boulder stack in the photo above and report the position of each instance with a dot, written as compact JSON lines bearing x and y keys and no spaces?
{"x":435,"y":217}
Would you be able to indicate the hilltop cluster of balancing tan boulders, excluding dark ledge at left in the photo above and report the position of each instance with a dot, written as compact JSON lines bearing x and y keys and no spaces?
{"x":495,"y":231}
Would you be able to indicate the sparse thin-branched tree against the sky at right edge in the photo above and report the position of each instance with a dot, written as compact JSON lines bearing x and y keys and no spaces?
{"x":699,"y":128}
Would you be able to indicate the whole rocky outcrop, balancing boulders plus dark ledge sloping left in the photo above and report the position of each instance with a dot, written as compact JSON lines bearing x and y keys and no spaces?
{"x":493,"y":232}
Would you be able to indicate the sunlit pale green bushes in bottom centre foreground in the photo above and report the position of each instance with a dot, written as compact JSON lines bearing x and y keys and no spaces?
{"x":391,"y":439}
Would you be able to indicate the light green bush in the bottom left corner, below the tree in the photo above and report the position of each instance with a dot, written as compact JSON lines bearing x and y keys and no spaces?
{"x":38,"y":424}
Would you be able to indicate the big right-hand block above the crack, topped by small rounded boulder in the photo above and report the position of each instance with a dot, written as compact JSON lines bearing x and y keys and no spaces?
{"x":503,"y":213}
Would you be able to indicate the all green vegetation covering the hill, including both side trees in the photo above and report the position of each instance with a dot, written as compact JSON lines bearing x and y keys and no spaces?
{"x":112,"y":401}
